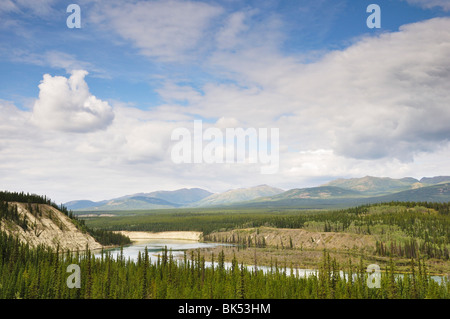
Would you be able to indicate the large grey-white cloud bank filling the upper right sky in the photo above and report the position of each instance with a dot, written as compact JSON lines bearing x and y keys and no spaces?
{"x":384,"y":96}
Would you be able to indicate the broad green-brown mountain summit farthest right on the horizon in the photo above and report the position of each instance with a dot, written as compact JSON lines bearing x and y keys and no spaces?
{"x":376,"y":185}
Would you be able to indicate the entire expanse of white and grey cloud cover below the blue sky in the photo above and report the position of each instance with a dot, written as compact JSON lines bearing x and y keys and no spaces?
{"x":378,"y":107}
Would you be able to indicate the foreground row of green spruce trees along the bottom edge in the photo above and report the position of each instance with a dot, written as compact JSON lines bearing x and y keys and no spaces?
{"x":41,"y":273}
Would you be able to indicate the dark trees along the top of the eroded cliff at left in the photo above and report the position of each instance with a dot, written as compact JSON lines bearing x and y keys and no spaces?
{"x":9,"y":212}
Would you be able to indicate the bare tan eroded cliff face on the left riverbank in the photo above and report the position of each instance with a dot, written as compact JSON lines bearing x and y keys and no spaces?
{"x":48,"y":226}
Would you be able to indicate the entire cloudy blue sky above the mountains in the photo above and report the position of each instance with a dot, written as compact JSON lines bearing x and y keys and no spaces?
{"x":89,"y":112}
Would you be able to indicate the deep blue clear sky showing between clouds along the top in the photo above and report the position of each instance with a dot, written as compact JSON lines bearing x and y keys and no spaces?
{"x":120,"y":72}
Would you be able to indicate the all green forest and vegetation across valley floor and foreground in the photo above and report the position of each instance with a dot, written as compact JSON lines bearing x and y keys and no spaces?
{"x":408,"y":236}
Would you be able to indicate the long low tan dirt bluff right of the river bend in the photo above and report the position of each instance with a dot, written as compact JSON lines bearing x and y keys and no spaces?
{"x":294,"y":238}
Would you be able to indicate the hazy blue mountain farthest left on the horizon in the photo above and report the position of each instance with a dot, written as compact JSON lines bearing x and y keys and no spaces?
{"x":154,"y":200}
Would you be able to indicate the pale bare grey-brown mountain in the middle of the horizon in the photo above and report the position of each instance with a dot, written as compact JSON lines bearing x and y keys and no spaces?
{"x":238,"y":195}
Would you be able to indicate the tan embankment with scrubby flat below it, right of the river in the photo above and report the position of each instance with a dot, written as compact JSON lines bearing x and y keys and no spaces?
{"x":298,"y":247}
